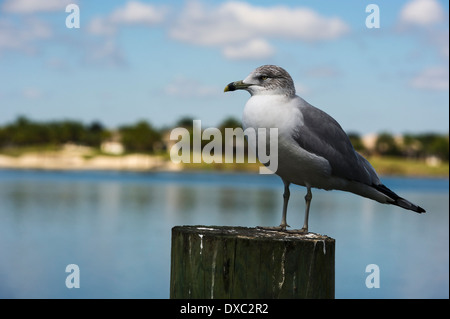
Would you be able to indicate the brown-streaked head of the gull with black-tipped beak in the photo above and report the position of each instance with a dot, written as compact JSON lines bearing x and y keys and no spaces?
{"x":268,"y":80}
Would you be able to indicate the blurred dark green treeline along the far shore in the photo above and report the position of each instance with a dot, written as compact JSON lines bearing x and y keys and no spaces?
{"x":143,"y":137}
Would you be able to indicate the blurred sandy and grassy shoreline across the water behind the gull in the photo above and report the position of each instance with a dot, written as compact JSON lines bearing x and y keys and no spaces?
{"x":64,"y":161}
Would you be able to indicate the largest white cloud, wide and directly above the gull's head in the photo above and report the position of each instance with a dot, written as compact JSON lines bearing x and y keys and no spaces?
{"x":234,"y":25}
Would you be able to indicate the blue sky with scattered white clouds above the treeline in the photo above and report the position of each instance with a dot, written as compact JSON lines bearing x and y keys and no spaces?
{"x":164,"y":60}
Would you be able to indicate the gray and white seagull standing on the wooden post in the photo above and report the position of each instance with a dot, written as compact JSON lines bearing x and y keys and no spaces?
{"x":313,"y":149}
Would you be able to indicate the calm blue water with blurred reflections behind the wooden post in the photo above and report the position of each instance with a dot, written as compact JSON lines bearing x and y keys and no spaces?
{"x":116,"y":227}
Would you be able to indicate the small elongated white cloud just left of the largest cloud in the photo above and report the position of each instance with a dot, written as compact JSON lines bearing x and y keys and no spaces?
{"x":133,"y":13}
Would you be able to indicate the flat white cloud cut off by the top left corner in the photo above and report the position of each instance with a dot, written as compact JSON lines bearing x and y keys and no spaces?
{"x":33,"y":6}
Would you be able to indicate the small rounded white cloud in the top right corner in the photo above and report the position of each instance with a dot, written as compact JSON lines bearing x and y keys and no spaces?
{"x":421,"y":13}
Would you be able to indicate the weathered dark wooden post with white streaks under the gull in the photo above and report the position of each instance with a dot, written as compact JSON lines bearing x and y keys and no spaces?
{"x":238,"y":262}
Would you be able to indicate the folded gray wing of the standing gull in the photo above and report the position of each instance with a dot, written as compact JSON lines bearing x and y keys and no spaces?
{"x":323,"y":136}
